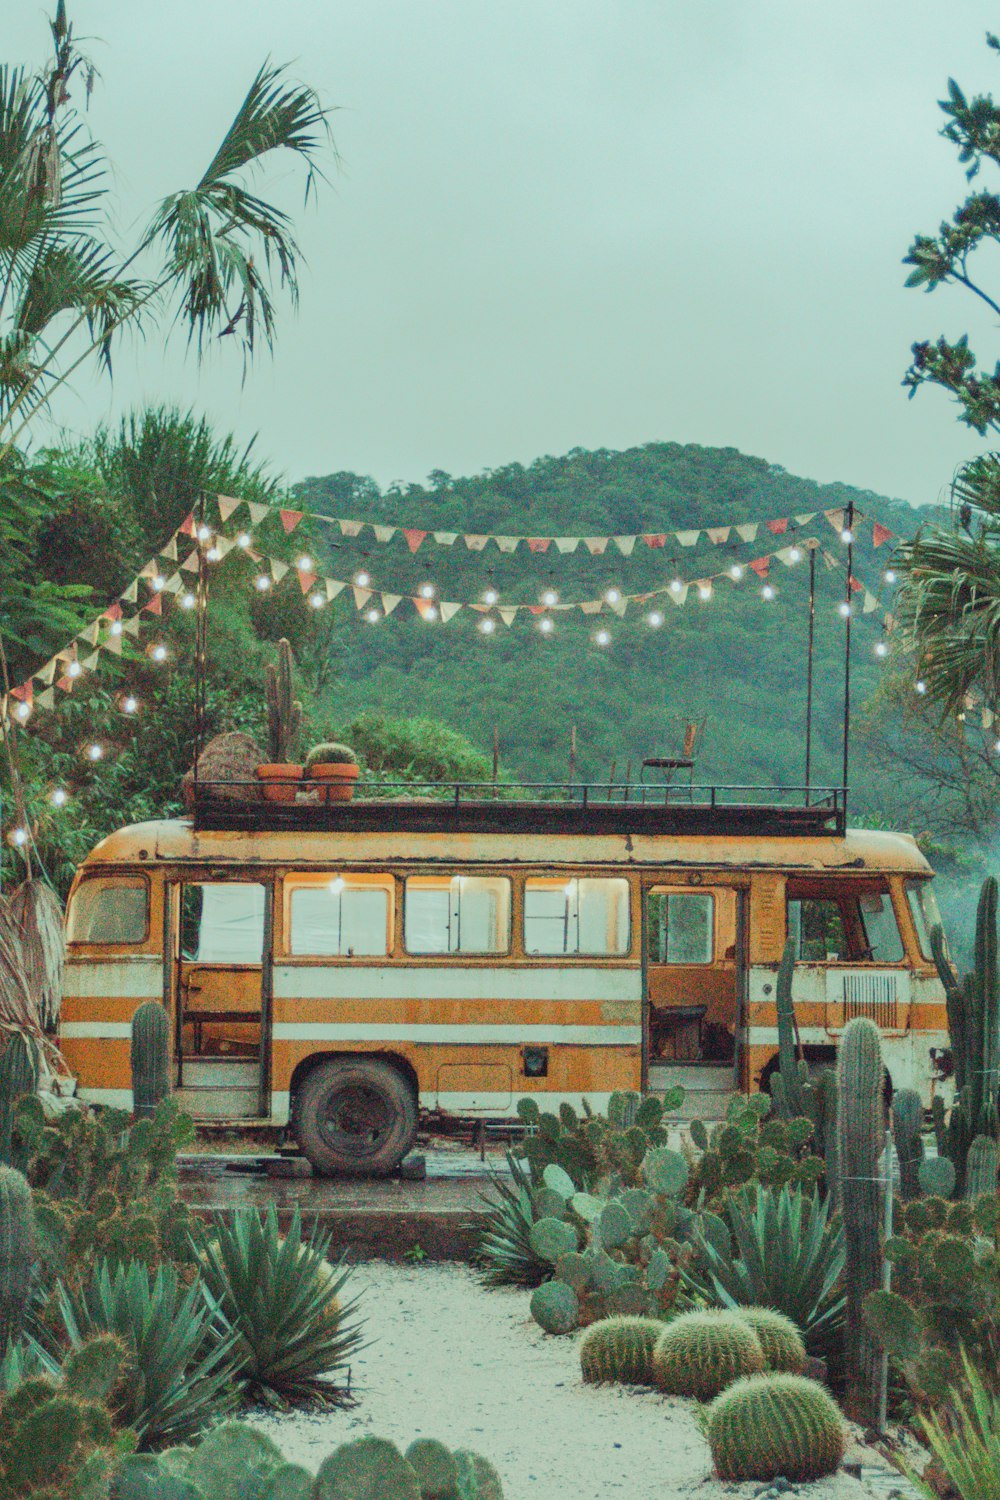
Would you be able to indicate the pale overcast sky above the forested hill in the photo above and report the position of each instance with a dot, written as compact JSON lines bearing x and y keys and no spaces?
{"x":563,"y":224}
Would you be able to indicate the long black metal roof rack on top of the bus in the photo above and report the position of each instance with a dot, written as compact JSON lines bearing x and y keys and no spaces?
{"x":509,"y":808}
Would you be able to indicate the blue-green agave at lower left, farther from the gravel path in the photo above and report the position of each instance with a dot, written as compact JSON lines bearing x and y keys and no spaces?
{"x":184,"y":1363}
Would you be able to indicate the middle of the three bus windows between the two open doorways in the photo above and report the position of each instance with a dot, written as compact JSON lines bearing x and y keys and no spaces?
{"x":460,"y":914}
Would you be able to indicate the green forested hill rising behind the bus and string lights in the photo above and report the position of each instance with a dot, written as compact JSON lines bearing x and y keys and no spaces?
{"x":737,"y":659}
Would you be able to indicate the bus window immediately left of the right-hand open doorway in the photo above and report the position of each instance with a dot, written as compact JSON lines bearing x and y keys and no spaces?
{"x":576,"y":917}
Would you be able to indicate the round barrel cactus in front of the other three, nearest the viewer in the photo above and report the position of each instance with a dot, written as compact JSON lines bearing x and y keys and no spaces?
{"x":770,"y":1427}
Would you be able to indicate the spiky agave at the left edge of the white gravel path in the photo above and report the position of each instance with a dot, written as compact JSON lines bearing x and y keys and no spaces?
{"x":283,"y":1298}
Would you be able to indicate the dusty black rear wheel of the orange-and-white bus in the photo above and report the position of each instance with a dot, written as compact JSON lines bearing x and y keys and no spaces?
{"x":356,"y":1117}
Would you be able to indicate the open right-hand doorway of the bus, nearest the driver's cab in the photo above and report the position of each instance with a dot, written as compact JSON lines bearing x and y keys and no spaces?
{"x":696,"y":974}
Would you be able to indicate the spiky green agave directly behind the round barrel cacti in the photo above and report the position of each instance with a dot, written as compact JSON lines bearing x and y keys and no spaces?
{"x":788,"y":1255}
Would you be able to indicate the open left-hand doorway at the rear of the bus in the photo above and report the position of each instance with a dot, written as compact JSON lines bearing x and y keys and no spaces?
{"x":221,"y":986}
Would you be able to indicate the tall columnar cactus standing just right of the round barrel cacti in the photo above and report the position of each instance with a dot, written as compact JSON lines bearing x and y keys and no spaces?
{"x":860,"y":1133}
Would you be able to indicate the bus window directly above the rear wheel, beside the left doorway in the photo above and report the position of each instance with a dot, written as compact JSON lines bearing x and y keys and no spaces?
{"x":341,"y":919}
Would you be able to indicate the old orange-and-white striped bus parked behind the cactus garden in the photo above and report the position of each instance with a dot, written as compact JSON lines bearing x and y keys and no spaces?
{"x":343,"y":971}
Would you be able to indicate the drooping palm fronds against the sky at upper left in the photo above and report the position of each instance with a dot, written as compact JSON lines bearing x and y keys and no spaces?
{"x":212,"y":256}
